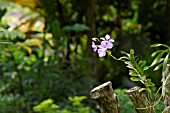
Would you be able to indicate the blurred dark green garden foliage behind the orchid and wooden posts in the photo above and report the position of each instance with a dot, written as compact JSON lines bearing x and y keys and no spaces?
{"x":50,"y":66}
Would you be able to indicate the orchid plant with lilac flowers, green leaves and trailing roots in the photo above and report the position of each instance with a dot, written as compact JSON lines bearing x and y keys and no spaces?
{"x":137,"y":68}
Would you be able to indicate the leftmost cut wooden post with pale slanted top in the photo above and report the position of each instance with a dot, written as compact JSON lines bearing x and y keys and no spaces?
{"x":106,"y":98}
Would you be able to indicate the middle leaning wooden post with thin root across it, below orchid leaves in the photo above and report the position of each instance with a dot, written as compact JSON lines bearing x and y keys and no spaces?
{"x":140,"y":101}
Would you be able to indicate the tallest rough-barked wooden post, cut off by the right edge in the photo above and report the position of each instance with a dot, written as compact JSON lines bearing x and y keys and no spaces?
{"x":166,"y":89}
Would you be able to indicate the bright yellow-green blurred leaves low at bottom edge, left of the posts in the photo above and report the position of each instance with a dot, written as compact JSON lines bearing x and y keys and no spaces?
{"x":76,"y":106}
